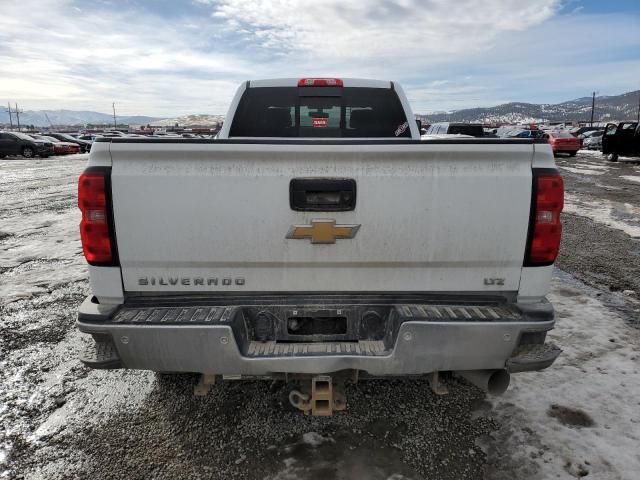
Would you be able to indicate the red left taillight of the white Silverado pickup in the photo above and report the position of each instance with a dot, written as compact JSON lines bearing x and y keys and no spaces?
{"x":94,"y":200}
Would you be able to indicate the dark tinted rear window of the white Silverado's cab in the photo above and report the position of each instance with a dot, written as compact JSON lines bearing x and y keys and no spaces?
{"x":319,"y":112}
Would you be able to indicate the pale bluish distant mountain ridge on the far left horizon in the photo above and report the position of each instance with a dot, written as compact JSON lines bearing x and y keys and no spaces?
{"x":71,"y":117}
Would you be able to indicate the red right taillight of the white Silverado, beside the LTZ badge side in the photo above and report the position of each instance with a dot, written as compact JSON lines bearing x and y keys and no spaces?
{"x":545,"y":229}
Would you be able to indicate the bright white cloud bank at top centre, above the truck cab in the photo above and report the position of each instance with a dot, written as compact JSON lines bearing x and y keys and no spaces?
{"x":330,"y":29}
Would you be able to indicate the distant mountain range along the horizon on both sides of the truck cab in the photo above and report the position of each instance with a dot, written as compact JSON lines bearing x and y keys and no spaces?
{"x":608,"y":108}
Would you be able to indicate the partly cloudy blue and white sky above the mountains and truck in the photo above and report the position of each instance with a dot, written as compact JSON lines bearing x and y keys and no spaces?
{"x":167,"y":58}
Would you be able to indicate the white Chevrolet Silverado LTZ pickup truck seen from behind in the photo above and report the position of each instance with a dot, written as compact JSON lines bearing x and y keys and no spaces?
{"x":319,"y":237}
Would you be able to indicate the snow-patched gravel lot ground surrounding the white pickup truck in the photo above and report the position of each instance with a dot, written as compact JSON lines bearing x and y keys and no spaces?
{"x":61,"y":420}
